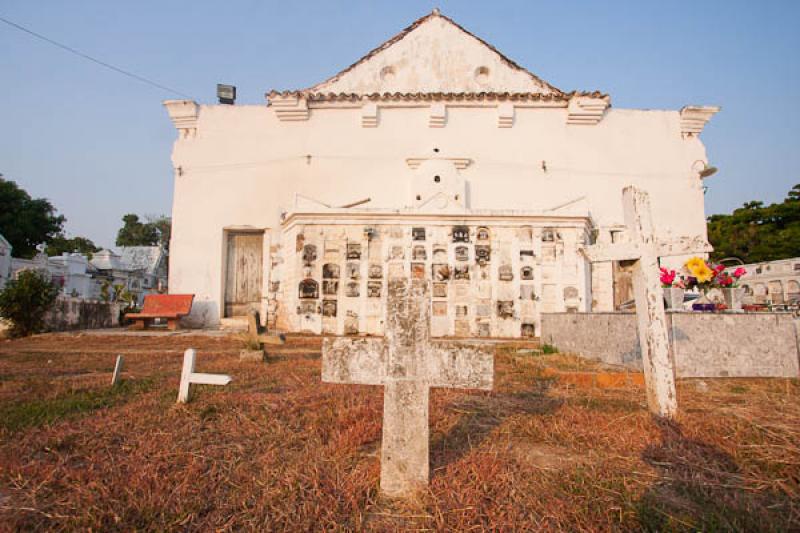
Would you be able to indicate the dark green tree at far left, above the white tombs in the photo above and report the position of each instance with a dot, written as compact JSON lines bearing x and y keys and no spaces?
{"x":26,"y":222}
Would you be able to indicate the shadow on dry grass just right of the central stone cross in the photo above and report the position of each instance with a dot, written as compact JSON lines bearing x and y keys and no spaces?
{"x":482,"y":414}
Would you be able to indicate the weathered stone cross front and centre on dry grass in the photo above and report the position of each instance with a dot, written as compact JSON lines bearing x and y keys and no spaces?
{"x":407,"y":363}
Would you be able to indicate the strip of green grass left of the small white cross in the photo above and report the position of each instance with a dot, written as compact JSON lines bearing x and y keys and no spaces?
{"x":17,"y":416}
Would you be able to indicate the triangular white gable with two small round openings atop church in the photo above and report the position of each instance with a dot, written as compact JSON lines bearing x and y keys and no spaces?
{"x":434,"y":55}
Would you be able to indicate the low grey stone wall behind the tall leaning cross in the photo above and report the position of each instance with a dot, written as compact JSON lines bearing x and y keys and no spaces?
{"x":704,"y":345}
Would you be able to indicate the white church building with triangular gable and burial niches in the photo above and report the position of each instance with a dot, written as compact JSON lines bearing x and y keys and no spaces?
{"x":433,"y":157}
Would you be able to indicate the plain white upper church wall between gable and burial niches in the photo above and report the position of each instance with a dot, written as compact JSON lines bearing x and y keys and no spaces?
{"x":243,"y":167}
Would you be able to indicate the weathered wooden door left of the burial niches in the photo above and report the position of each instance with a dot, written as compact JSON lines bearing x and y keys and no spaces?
{"x":243,"y":273}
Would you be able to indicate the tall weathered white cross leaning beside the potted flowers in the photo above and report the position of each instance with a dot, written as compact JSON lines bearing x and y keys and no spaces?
{"x":643,"y":249}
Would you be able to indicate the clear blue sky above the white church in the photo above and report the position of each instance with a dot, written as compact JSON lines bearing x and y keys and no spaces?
{"x":97,"y":144}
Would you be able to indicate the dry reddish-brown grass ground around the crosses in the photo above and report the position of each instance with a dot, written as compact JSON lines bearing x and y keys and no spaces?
{"x":279,"y":450}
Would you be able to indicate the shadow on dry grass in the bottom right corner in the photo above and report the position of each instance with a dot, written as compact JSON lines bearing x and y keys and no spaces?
{"x":702,"y":489}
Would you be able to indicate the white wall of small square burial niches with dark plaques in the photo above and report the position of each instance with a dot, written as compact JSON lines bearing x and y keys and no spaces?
{"x":488,"y":280}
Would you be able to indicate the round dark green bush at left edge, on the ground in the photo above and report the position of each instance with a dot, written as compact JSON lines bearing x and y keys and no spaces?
{"x":25,"y":300}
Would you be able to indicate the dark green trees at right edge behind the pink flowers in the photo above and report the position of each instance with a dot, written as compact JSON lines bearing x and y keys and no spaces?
{"x":757,"y":232}
